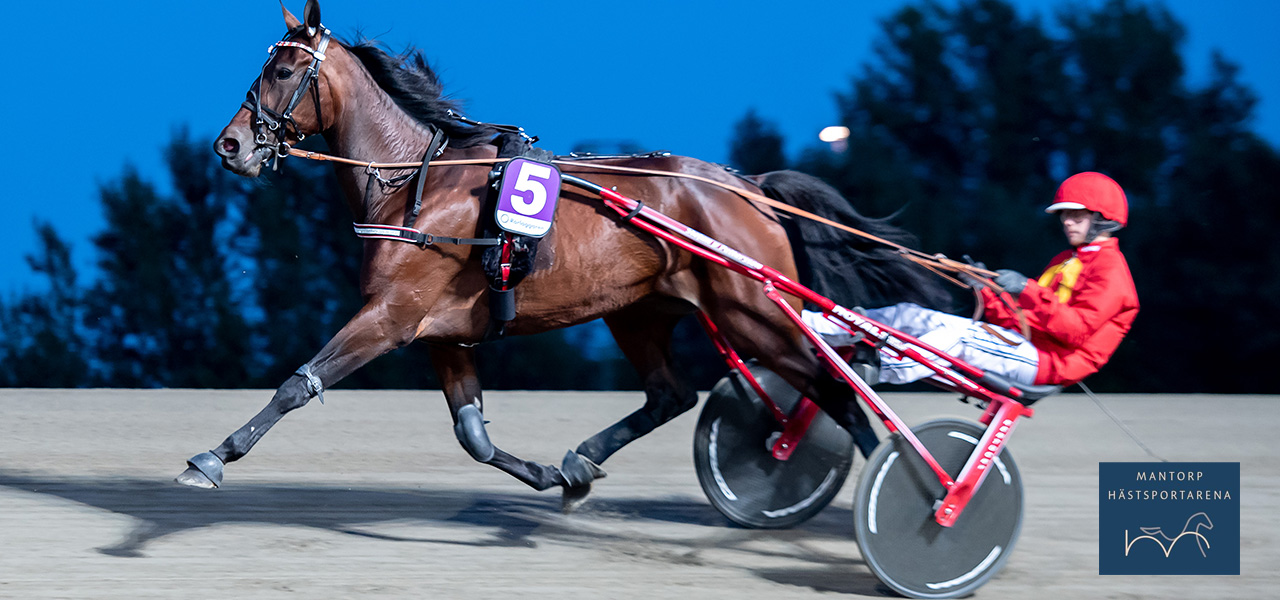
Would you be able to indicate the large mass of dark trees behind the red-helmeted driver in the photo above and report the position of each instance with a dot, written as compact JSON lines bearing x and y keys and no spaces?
{"x":971,"y":116}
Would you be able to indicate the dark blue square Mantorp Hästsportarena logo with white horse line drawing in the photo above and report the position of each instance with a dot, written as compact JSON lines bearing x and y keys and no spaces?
{"x":1169,"y":519}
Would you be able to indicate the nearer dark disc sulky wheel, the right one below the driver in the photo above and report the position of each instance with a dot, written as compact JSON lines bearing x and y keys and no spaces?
{"x":894,"y":515}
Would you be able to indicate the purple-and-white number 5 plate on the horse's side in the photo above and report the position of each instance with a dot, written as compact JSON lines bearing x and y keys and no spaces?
{"x":527,"y":200}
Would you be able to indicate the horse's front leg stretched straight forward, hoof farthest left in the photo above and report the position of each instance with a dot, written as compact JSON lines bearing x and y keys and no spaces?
{"x":372,"y":333}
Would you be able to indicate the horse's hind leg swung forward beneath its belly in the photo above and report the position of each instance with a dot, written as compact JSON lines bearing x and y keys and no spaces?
{"x":644,"y":336}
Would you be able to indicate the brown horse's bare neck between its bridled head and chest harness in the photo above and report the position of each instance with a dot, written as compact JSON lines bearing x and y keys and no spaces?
{"x":369,"y":126}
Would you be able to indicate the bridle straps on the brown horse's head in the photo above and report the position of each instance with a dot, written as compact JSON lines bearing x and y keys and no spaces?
{"x":278,"y":125}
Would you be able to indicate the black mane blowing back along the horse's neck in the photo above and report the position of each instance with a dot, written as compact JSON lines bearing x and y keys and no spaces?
{"x":417,"y":90}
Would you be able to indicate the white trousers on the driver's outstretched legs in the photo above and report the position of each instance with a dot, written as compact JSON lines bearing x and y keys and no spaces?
{"x":981,"y":345}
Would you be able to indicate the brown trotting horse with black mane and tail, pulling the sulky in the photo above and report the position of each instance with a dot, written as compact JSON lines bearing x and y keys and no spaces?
{"x":373,"y":107}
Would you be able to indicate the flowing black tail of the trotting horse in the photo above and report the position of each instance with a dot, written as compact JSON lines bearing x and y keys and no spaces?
{"x":843,"y":267}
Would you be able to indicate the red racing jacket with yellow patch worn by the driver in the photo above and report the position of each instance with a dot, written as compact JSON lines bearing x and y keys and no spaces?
{"x":1080,"y":315}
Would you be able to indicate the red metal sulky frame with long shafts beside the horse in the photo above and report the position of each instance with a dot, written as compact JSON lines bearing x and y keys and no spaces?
{"x":1003,"y":406}
